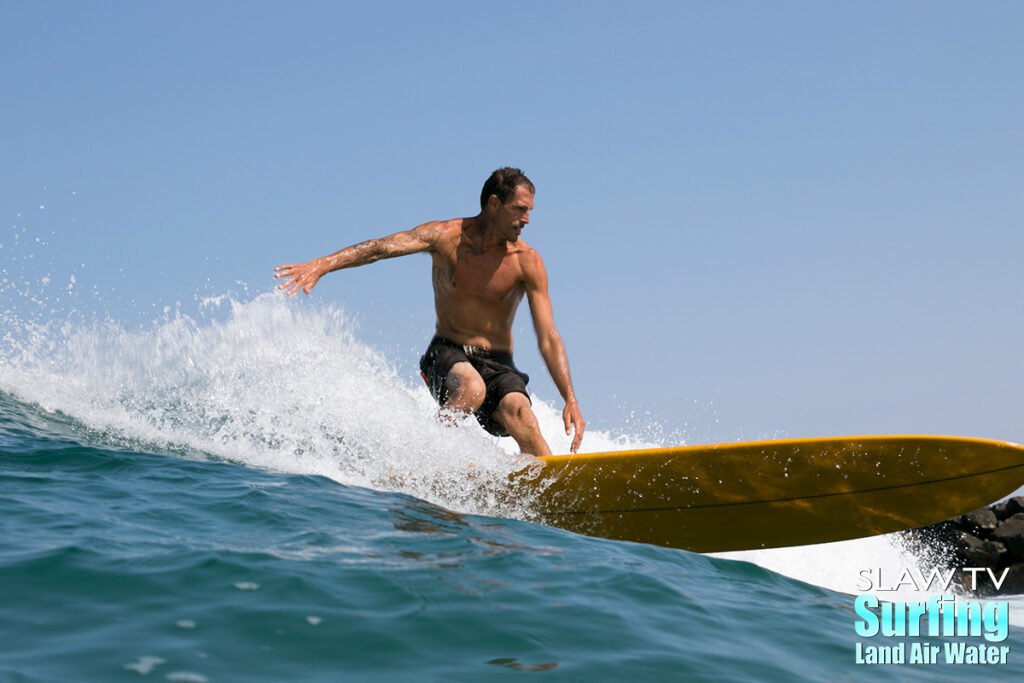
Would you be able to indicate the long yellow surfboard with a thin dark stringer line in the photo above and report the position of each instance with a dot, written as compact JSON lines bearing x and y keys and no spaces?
{"x":775,"y":494}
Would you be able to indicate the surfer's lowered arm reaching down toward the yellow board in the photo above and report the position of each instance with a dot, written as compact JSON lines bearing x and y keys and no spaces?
{"x":550,"y":343}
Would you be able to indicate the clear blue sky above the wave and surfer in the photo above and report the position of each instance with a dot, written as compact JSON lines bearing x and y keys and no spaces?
{"x":759,"y":219}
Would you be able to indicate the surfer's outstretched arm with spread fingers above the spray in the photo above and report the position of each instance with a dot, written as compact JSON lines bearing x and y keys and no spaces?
{"x":306,"y":276}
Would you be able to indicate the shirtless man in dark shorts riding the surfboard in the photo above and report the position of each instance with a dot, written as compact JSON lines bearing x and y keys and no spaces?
{"x":482,"y":271}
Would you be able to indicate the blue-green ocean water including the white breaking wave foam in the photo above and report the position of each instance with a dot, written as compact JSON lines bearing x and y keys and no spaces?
{"x":253,"y":494}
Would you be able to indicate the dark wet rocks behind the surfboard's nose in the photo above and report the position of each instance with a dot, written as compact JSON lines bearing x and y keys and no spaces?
{"x":992,"y":537}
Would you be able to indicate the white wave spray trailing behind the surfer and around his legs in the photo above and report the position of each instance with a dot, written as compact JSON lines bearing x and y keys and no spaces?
{"x":273,"y":383}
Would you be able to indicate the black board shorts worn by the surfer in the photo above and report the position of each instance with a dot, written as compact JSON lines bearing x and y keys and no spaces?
{"x":499,"y":373}
